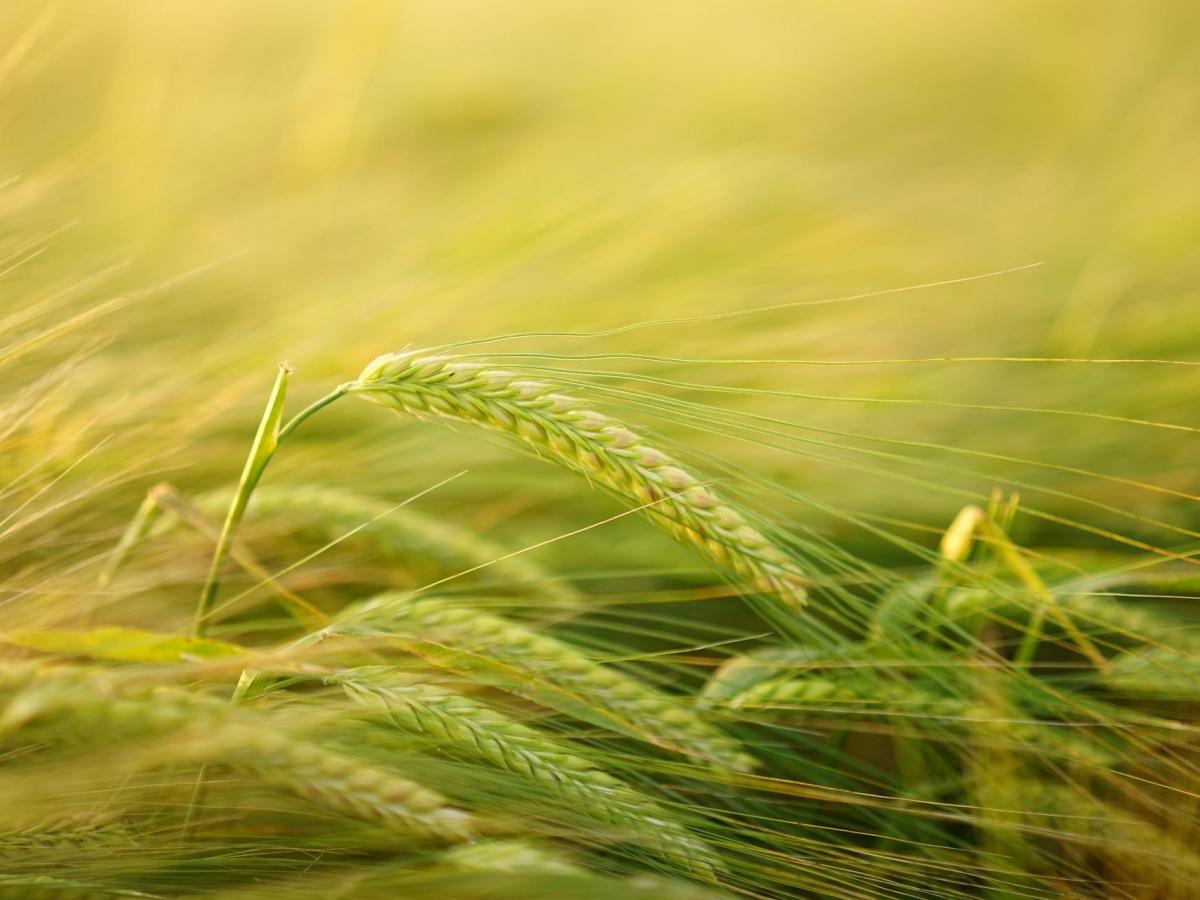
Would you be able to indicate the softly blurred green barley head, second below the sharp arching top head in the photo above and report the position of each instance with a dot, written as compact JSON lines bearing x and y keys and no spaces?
{"x":549,"y":671}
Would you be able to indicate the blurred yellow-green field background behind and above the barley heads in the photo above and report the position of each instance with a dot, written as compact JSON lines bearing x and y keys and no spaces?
{"x":195,"y":191}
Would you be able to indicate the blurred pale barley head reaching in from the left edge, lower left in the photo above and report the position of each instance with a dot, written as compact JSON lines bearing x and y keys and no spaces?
{"x":70,"y":706}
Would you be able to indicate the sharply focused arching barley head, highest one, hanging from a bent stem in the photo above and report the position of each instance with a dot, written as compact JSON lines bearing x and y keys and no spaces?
{"x":565,"y":430}
